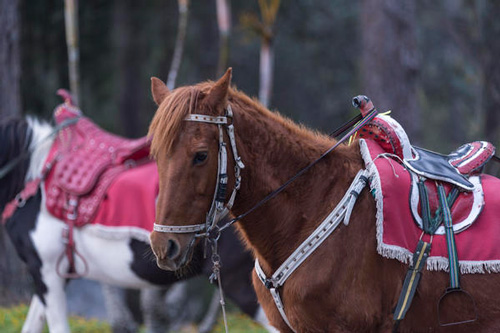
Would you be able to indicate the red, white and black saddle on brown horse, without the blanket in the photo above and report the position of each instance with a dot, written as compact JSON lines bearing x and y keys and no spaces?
{"x":460,"y":168}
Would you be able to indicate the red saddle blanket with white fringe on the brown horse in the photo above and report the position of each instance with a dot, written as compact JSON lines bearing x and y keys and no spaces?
{"x":398,"y":232}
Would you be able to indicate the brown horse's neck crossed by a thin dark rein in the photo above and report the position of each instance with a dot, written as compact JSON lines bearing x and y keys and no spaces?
{"x":273,"y":151}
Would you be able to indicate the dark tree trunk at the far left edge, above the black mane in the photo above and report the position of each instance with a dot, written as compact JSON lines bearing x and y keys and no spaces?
{"x":10,"y":69}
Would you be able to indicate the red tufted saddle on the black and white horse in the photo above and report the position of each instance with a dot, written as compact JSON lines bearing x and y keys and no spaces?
{"x":83,"y":162}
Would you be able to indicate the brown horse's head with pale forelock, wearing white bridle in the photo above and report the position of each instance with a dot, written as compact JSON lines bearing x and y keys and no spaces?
{"x":186,"y":149}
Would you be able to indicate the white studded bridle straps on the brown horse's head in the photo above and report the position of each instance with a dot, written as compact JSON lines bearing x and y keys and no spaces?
{"x":218,"y":209}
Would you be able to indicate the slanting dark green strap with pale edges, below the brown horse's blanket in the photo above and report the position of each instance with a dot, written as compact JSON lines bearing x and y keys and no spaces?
{"x":412,"y":279}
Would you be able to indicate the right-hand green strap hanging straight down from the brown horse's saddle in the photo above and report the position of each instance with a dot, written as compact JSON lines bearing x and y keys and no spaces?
{"x":450,"y":240}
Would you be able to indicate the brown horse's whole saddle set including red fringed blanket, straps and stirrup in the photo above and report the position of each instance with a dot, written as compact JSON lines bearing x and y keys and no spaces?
{"x":446,"y":196}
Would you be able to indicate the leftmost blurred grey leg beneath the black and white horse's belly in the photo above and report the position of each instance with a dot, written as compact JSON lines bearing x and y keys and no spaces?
{"x":119,"y":315}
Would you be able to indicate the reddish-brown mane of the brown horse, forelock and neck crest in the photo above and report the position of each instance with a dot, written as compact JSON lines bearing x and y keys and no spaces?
{"x":167,"y":122}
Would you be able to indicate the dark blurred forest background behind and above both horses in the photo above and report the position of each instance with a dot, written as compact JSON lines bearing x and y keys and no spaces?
{"x":435,"y":64}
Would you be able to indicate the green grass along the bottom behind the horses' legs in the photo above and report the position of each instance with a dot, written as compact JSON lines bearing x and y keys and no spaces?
{"x":12,"y":319}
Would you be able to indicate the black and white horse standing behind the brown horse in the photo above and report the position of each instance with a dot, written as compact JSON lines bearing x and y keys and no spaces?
{"x":120,"y":261}
